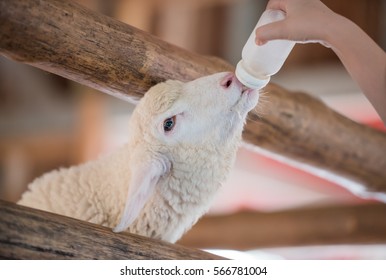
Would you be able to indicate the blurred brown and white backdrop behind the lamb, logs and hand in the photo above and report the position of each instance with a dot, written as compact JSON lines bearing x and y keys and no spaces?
{"x":47,"y":121}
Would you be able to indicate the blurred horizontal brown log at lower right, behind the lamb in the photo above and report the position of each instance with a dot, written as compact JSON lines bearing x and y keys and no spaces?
{"x":360,"y":224}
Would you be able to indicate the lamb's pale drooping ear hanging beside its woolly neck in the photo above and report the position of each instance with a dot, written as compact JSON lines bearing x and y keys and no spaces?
{"x":144,"y":178}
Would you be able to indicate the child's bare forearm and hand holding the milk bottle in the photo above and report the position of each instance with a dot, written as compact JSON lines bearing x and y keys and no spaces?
{"x":312,"y":21}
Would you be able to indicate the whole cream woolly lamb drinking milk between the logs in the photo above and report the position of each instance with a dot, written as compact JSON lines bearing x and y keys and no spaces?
{"x":182,"y":144}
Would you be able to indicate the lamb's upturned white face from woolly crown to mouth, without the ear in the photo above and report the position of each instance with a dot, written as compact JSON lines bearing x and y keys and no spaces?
{"x":208,"y":110}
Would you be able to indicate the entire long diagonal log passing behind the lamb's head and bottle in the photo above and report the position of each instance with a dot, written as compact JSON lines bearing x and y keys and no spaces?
{"x":64,"y":38}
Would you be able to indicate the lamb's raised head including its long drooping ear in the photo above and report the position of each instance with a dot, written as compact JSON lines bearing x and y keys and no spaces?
{"x":175,"y":118}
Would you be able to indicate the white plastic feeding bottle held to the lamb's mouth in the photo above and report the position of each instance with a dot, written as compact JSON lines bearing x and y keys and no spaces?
{"x":259,"y":63}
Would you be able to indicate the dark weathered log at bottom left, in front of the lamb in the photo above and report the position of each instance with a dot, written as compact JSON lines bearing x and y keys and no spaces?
{"x":27,"y":233}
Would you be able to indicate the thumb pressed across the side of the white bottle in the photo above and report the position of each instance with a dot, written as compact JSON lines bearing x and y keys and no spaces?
{"x":271,"y":31}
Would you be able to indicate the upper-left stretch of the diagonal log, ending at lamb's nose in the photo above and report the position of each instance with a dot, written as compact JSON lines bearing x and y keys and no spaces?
{"x":65,"y":38}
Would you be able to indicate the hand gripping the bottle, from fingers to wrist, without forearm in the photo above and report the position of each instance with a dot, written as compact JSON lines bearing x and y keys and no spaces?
{"x":306,"y":21}
